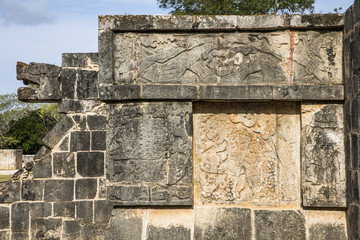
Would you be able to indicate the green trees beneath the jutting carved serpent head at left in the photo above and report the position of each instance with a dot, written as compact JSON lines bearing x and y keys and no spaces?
{"x":23,"y":125}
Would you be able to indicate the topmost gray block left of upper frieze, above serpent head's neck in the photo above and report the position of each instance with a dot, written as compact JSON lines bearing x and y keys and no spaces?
{"x":80,"y":60}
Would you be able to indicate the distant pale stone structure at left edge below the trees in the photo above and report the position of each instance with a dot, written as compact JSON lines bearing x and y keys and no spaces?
{"x":10,"y":159}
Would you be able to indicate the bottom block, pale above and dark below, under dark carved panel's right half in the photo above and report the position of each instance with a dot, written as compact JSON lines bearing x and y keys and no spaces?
{"x":169,"y":224}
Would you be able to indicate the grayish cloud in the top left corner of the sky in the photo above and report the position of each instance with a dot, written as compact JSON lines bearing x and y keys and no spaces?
{"x":25,"y":12}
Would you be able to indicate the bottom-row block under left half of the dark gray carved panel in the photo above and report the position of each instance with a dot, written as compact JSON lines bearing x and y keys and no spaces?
{"x":128,"y":222}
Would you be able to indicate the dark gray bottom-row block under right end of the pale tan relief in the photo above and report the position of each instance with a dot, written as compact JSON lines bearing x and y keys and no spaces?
{"x":284,"y":224}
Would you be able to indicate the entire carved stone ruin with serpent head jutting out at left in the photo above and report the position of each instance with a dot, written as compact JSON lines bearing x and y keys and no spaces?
{"x":197,"y":127}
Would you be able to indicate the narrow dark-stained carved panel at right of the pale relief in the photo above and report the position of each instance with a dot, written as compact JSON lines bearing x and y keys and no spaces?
{"x":323,"y":160}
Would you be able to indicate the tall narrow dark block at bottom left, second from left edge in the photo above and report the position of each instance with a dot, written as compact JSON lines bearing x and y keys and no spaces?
{"x":19,"y":217}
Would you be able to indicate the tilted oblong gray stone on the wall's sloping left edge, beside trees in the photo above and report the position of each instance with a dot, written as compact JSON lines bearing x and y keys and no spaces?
{"x":58,"y":132}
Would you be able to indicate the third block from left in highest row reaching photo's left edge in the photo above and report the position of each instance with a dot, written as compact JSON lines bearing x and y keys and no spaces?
{"x":59,"y":190}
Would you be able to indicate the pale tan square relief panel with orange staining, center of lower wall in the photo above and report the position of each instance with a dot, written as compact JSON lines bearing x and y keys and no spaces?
{"x":247,"y":153}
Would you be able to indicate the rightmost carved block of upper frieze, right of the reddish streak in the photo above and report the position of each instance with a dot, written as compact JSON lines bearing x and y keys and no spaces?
{"x":318,"y":57}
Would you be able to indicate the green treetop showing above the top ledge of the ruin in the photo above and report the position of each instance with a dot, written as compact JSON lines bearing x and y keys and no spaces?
{"x":236,"y":7}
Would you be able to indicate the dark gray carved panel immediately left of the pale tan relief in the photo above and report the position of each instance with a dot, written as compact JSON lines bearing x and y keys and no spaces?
{"x":151,"y":144}
